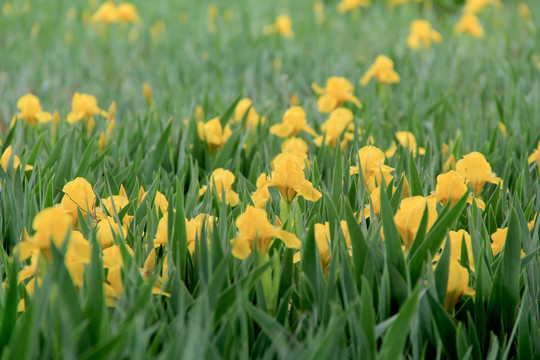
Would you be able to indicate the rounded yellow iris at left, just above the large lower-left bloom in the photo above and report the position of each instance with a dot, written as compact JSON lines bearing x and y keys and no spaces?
{"x":78,"y":194}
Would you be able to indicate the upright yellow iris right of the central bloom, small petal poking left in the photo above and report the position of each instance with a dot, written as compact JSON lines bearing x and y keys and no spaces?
{"x":373,"y":169}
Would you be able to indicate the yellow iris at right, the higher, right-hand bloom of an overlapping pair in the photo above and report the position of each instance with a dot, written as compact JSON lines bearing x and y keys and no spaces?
{"x":476,"y":171}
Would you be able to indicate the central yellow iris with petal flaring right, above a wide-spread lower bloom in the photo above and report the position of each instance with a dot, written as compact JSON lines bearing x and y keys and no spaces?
{"x":288,"y":176}
